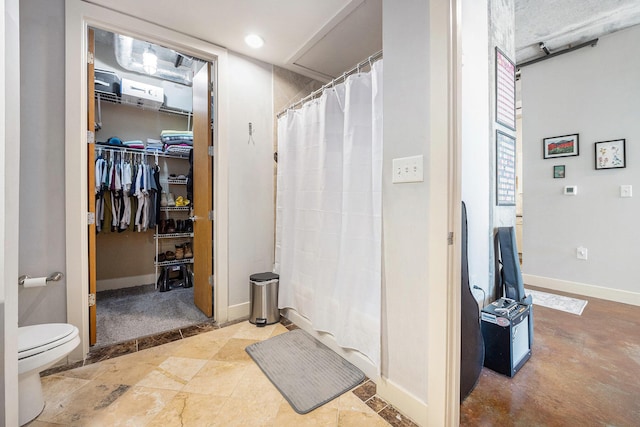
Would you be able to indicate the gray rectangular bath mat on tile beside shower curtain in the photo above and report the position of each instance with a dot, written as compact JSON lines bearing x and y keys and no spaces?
{"x":305,"y":371}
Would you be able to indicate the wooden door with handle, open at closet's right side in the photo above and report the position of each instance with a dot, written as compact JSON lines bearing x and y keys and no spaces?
{"x":202,"y":191}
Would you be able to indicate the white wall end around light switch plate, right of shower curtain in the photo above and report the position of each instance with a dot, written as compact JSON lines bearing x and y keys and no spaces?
{"x":415,"y":304}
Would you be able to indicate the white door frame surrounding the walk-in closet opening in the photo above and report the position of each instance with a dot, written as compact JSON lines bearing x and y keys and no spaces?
{"x":80,"y":16}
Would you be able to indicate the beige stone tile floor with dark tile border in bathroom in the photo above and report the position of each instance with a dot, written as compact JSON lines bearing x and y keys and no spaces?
{"x":206,"y":379}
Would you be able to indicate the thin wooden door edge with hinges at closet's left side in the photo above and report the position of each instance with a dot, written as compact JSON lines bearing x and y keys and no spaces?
{"x":91,"y":196}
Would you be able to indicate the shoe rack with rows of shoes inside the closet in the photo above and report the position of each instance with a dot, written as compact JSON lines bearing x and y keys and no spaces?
{"x":174,"y":234}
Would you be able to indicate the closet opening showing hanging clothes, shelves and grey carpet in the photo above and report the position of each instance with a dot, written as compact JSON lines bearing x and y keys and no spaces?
{"x":150,"y":188}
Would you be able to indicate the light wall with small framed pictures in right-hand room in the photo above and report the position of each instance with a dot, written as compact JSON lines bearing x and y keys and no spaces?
{"x":593,"y":92}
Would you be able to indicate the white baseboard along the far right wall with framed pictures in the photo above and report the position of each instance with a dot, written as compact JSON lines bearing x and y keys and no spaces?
{"x":610,"y":294}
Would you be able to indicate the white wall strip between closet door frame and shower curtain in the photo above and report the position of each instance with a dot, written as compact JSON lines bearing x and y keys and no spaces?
{"x":251,"y":211}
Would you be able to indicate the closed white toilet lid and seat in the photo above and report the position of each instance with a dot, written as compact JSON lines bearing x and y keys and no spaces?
{"x":37,"y":339}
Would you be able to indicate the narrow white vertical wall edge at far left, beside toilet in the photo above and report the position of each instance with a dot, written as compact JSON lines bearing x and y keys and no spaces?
{"x":9,"y":183}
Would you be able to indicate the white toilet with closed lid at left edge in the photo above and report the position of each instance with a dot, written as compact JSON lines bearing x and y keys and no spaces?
{"x":39,"y":348}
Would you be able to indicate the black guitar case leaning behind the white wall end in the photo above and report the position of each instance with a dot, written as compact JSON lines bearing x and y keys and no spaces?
{"x":471,"y":343}
